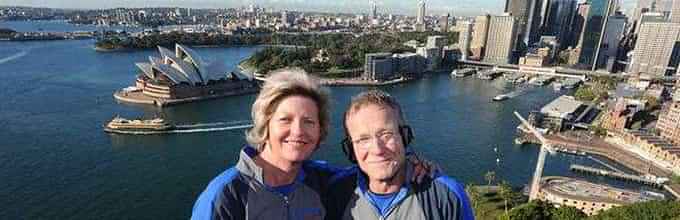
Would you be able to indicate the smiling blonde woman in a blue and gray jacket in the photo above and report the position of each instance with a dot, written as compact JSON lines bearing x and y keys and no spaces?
{"x":273,"y":178}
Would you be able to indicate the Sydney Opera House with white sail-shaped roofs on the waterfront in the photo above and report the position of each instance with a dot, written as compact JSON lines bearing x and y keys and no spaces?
{"x":181,"y":76}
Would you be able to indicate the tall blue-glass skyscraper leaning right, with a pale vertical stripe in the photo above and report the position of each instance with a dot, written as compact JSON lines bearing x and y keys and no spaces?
{"x":595,"y":23}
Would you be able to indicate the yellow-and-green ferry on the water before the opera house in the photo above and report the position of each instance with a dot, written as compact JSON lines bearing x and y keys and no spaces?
{"x":118,"y":124}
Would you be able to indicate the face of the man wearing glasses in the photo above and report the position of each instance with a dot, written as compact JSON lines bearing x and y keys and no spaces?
{"x":378,"y":147}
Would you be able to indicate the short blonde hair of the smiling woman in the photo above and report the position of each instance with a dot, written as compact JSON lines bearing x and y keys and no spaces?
{"x":279,"y":85}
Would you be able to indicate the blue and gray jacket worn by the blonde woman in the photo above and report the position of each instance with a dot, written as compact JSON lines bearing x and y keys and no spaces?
{"x":240,"y":193}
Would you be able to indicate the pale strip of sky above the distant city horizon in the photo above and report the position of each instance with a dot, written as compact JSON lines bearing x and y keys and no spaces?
{"x":407,"y":7}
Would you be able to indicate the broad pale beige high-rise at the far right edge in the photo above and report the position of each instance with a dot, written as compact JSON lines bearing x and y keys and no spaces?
{"x":656,"y":49}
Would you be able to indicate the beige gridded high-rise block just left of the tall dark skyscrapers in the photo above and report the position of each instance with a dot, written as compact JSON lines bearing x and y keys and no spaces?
{"x":499,"y":43}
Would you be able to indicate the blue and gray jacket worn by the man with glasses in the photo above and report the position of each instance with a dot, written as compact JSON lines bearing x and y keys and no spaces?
{"x":434,"y":198}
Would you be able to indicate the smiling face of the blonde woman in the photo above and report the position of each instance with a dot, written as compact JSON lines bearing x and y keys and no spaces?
{"x":294,"y":129}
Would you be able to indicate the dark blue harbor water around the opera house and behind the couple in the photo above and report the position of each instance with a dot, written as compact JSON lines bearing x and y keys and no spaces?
{"x":56,"y":162}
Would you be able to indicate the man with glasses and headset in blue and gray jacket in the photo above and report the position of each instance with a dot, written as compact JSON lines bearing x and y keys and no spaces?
{"x":377,"y":137}
